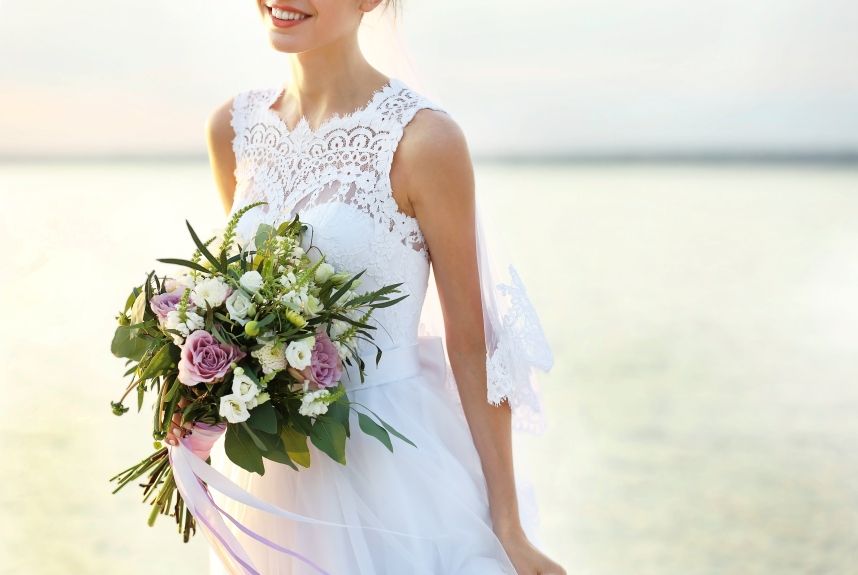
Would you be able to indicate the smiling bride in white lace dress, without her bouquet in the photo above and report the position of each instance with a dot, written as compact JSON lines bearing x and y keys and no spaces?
{"x":384,"y":179}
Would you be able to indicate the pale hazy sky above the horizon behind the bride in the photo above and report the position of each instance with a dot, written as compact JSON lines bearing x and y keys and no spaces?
{"x":555,"y":77}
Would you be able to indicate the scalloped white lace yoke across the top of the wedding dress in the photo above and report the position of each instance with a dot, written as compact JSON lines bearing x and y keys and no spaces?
{"x":347,"y":159}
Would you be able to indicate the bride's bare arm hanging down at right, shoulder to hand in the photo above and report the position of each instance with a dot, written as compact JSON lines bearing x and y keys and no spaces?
{"x":434,"y":174}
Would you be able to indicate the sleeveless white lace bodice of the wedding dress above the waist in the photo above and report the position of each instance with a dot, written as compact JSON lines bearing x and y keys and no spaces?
{"x":337,"y":178}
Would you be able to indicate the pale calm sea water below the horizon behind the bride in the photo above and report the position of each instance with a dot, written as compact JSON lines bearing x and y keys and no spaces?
{"x":701,"y":407}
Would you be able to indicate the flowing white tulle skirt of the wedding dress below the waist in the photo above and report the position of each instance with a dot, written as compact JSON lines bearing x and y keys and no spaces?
{"x":434,"y":493}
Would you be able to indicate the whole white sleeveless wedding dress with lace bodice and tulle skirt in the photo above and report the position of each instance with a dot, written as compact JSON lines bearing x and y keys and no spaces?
{"x":337,"y":178}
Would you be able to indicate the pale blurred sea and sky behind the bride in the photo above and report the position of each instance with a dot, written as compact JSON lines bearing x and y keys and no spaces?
{"x":690,"y":171}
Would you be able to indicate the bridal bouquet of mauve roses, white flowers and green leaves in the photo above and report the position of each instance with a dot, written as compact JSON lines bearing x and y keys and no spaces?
{"x":251,"y":340}
